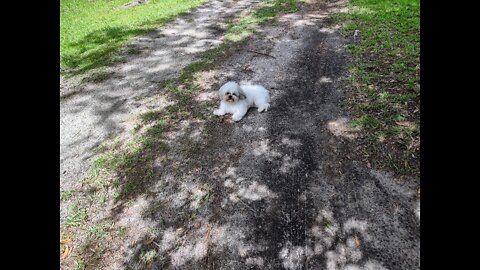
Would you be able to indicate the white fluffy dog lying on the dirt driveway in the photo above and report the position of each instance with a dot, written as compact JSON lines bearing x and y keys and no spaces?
{"x":237,"y":99}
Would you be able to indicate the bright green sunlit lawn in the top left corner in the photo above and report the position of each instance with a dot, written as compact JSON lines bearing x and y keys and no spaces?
{"x":91,"y":31}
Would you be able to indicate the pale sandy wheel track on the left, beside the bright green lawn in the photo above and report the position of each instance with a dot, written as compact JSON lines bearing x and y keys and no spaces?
{"x":94,"y":111}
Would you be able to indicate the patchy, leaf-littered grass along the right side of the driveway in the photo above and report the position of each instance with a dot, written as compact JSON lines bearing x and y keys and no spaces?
{"x":385,"y":81}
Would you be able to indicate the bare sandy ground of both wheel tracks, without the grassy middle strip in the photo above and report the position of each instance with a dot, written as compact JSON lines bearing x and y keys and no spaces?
{"x":284,"y":192}
